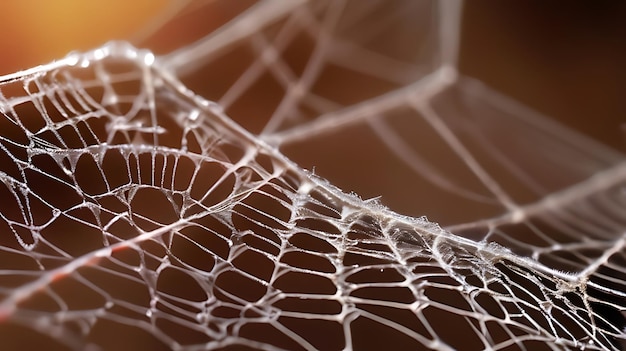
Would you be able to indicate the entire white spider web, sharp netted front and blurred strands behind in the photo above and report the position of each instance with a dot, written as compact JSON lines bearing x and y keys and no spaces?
{"x":151,"y":202}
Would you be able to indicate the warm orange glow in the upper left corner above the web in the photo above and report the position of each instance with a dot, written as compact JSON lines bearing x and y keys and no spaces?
{"x":36,"y":32}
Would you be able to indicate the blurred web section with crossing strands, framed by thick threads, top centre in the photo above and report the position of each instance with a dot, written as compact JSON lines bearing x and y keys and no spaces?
{"x":316,"y":59}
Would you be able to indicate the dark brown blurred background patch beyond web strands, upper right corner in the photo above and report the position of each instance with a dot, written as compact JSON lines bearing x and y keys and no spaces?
{"x":565,"y":59}
